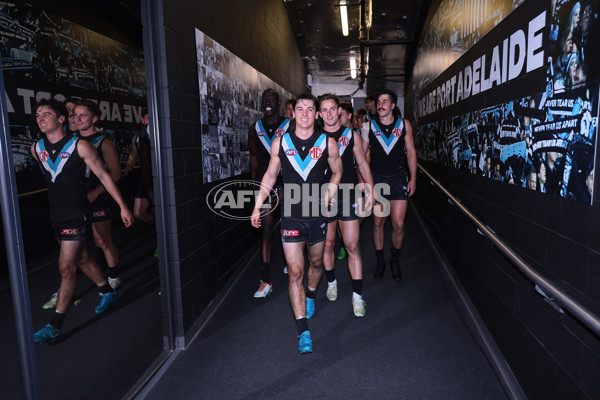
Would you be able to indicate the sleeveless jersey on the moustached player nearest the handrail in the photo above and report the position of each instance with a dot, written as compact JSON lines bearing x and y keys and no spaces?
{"x":388,"y":152}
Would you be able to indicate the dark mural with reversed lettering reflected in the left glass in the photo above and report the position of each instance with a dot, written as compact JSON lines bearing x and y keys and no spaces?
{"x":45,"y":56}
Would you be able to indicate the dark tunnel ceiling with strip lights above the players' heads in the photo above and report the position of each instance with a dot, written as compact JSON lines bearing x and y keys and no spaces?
{"x":383,"y":33}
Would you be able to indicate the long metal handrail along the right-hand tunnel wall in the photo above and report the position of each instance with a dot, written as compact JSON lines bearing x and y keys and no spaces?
{"x":573,"y":306}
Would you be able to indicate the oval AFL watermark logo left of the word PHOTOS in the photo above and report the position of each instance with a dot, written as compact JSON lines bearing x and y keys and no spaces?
{"x":235,"y":199}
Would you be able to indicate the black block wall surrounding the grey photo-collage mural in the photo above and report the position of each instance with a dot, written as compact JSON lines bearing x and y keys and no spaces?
{"x":206,"y":248}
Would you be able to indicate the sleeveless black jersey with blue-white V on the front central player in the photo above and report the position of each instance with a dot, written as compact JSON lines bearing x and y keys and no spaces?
{"x":304,"y":162}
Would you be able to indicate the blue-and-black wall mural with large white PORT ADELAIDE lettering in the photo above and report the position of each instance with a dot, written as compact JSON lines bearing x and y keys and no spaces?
{"x":521,"y":105}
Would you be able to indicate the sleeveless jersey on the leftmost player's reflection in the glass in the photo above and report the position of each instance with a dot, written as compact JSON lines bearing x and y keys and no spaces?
{"x":64,"y":171}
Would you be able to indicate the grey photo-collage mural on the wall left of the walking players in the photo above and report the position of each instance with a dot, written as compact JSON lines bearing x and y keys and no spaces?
{"x":230,"y":101}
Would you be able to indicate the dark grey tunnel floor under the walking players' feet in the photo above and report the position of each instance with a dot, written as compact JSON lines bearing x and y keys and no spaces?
{"x":412,"y":344}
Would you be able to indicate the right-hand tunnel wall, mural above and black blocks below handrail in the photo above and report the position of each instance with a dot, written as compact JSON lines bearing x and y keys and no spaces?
{"x":551,"y":353}
